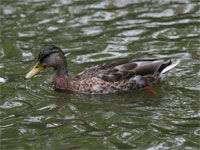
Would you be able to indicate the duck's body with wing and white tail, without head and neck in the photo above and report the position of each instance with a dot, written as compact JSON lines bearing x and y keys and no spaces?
{"x":121,"y":76}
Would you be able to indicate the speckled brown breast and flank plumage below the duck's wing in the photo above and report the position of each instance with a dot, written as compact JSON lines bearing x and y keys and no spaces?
{"x":96,"y":85}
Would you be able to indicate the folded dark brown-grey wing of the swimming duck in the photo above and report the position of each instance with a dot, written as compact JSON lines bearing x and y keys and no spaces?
{"x":124,"y":69}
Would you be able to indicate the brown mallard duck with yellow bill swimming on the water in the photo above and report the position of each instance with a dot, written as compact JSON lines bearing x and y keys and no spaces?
{"x":114,"y":77}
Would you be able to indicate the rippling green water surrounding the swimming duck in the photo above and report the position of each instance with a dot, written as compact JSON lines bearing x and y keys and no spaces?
{"x":34,"y":116}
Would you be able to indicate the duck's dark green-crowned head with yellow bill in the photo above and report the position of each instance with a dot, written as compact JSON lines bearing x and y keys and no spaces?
{"x":50,"y":56}
